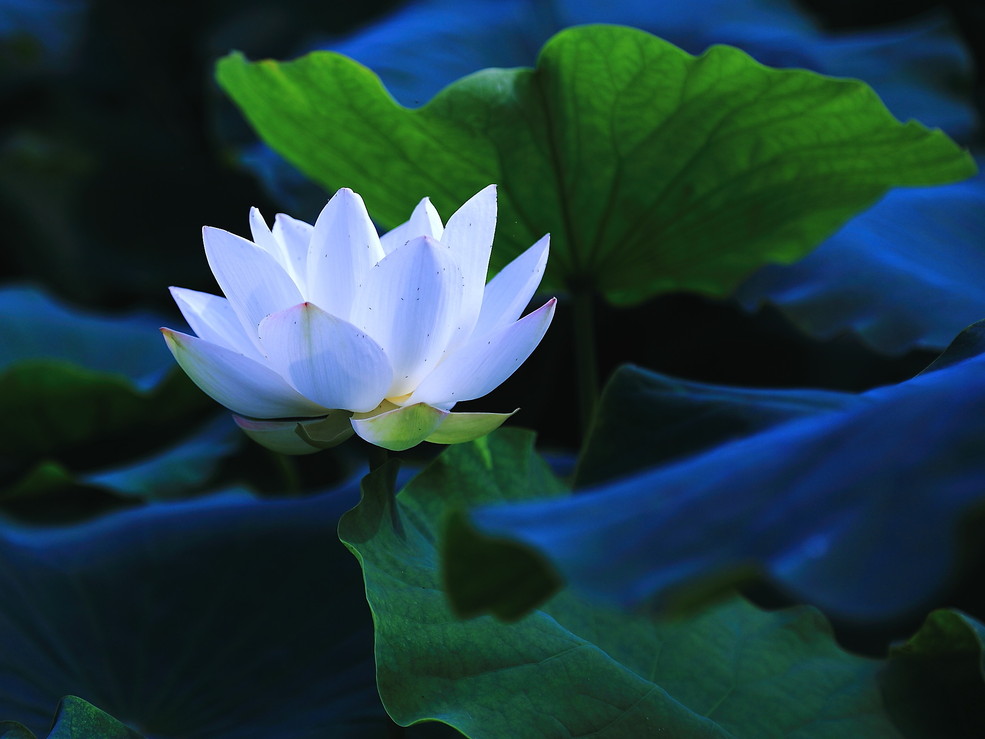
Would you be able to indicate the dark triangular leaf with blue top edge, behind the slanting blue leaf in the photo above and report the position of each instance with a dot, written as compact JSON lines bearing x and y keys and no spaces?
{"x":645,"y":419}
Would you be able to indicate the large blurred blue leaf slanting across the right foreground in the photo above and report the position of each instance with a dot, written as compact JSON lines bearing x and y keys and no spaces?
{"x":854,"y":510}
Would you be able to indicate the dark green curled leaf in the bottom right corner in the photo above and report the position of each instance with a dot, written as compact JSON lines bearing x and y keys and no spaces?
{"x":935,"y":682}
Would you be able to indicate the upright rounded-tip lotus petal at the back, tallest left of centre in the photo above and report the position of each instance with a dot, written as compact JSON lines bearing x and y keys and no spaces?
{"x":343,"y":247}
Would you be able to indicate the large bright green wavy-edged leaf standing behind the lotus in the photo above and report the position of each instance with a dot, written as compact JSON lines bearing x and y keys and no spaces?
{"x":652,"y":169}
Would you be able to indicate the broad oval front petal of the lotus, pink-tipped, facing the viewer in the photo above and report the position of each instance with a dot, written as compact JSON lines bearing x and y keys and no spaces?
{"x":327,"y":359}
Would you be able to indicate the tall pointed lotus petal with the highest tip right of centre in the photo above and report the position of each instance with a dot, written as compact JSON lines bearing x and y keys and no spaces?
{"x":469,"y":236}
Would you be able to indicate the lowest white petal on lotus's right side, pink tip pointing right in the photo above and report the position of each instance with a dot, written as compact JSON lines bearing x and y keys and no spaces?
{"x":483,"y":364}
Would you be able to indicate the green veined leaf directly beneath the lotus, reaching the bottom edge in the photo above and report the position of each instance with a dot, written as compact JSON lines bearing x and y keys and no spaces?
{"x":572,"y":668}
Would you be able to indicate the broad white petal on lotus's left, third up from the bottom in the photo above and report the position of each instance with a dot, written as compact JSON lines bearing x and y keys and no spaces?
{"x":252,"y":280}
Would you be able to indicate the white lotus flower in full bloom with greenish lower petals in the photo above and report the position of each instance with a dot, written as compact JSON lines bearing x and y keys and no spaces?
{"x":330,"y":329}
